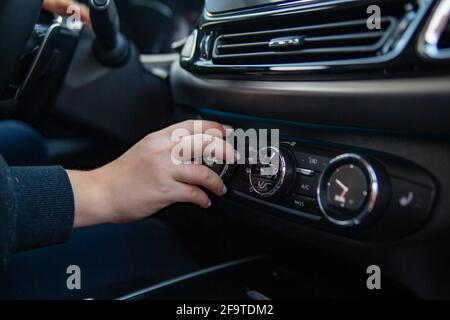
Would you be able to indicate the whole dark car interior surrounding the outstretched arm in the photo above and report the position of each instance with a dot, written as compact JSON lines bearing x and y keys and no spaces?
{"x":358,"y":89}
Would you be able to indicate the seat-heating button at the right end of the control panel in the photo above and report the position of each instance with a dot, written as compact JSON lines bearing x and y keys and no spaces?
{"x":410,"y":198}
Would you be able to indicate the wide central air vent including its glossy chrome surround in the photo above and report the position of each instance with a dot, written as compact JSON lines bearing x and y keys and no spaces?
{"x":313,"y":34}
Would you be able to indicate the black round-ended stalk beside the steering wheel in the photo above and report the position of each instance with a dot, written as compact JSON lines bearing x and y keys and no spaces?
{"x":111,"y":47}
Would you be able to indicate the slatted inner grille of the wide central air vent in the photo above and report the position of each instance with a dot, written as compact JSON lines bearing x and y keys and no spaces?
{"x":323,"y":42}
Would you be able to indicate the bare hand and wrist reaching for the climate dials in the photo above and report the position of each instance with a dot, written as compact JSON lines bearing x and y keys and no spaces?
{"x":147,"y":178}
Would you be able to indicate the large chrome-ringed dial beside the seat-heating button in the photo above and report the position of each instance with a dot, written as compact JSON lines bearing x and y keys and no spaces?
{"x":351,"y":190}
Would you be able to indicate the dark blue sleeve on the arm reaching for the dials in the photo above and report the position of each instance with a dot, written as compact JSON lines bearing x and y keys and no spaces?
{"x":36,"y":208}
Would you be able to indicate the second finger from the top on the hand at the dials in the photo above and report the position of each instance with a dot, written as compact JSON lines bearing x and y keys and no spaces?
{"x":203,"y":146}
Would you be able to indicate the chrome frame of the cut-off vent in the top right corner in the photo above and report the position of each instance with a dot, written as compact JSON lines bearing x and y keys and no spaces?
{"x":429,"y":39}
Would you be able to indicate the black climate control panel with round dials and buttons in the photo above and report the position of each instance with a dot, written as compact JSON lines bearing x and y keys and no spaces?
{"x":364,"y":193}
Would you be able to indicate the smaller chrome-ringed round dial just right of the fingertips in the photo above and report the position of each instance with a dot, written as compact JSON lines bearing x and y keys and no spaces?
{"x":274,"y":173}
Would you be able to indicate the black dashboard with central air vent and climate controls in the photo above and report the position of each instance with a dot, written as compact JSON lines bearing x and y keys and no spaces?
{"x":363,"y":114}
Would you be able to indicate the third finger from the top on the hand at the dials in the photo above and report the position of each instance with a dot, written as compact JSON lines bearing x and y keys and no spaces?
{"x":200,"y":176}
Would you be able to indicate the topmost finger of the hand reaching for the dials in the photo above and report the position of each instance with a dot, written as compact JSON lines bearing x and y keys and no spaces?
{"x":193,"y":127}
